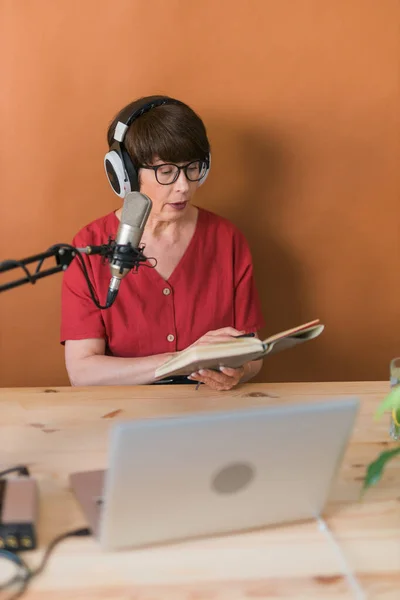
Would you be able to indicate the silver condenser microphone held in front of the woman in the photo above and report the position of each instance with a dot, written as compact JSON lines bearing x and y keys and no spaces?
{"x":135,"y":212}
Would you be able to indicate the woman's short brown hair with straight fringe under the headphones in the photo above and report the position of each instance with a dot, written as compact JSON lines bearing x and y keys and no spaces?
{"x":172,"y":132}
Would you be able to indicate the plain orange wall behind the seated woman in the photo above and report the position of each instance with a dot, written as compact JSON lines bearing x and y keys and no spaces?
{"x":301,"y":100}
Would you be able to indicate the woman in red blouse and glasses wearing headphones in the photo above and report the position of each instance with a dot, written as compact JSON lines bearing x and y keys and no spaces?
{"x":202,"y":289}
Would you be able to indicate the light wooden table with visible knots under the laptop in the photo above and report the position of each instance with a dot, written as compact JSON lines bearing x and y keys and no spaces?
{"x":56,"y":431}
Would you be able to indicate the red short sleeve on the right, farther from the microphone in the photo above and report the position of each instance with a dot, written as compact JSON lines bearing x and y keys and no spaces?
{"x":248,"y":313}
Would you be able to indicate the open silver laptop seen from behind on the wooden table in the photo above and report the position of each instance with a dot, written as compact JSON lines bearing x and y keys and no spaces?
{"x":175,"y":478}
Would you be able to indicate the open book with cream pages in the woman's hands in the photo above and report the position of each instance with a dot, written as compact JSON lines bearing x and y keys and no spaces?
{"x":237,"y":352}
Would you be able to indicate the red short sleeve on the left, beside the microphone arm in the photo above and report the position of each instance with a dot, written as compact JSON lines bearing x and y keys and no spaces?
{"x":80,"y":317}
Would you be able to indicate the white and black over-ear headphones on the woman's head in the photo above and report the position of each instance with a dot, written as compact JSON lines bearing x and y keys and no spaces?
{"x":120,"y":170}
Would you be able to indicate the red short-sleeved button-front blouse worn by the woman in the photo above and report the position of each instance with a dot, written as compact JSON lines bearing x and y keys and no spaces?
{"x":211,"y":287}
